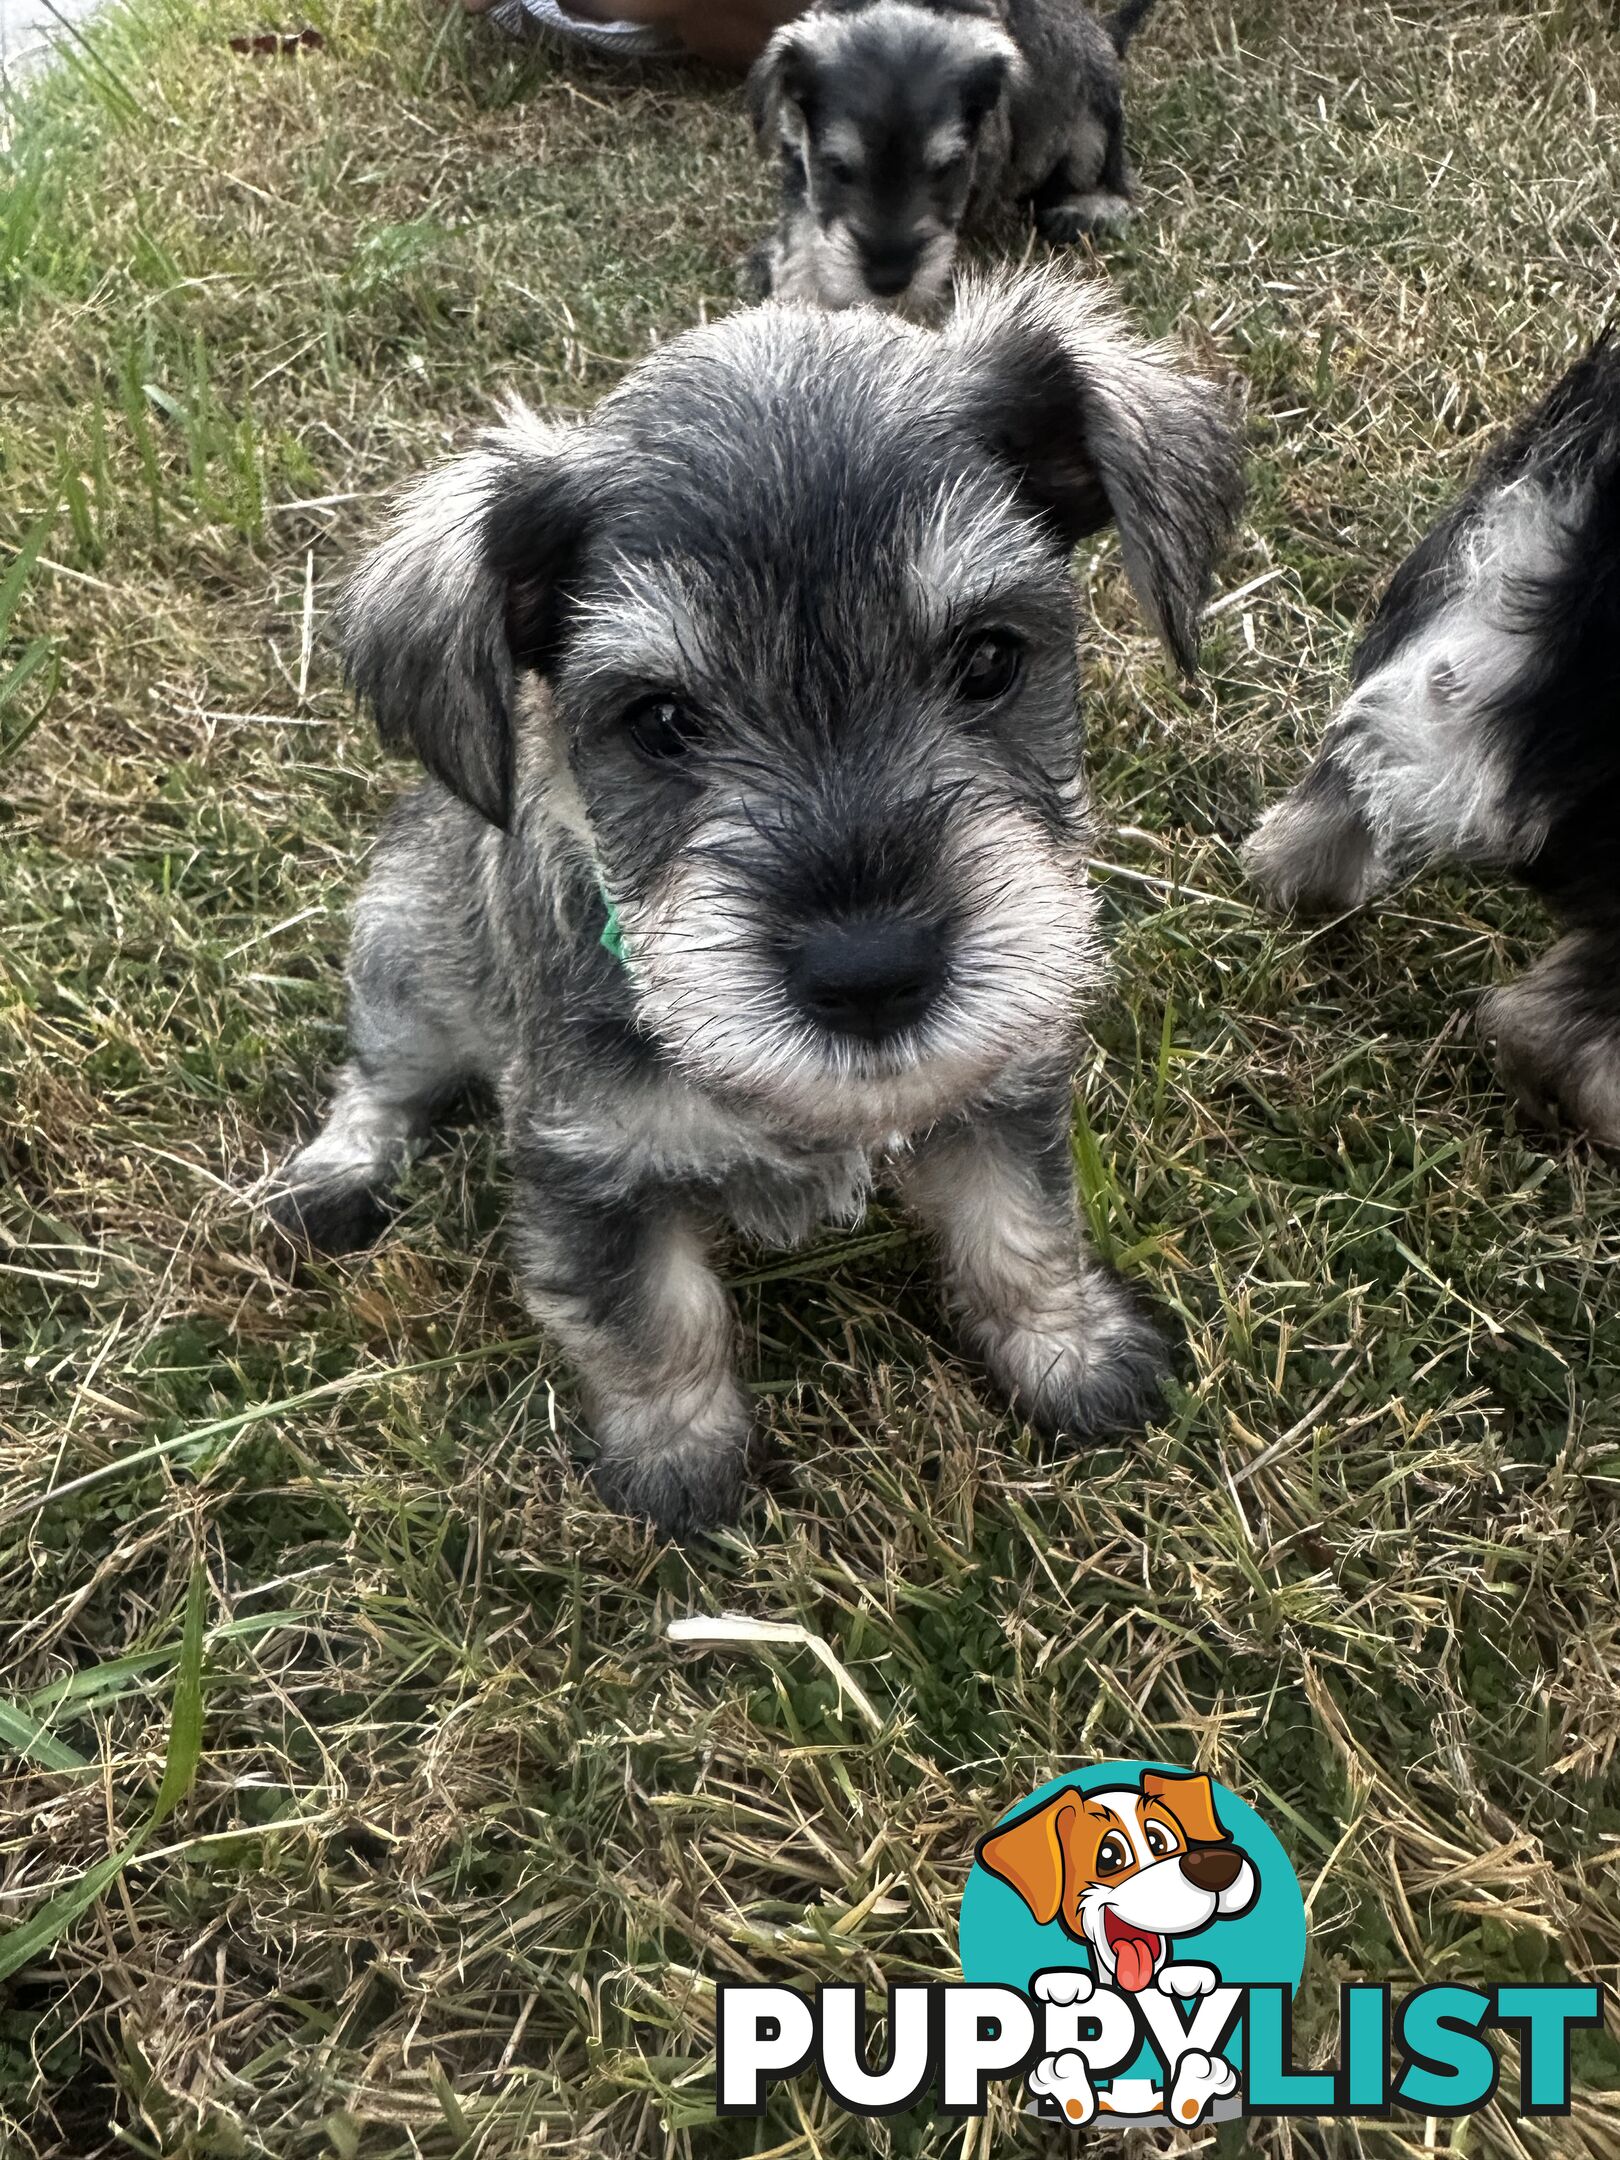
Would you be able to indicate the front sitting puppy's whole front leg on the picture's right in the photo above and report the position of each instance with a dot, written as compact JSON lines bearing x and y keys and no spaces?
{"x":1059,"y":1334}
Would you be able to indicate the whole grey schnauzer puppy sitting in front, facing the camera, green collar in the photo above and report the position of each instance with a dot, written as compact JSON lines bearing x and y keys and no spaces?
{"x":755,"y":850}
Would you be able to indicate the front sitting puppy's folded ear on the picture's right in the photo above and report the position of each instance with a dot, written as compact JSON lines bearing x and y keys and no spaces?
{"x":1098,"y":427}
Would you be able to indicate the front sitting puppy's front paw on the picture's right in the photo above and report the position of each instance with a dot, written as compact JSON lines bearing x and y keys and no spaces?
{"x":1098,"y":1377}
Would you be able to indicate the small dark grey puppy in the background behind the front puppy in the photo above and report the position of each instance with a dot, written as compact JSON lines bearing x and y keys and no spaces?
{"x":897,"y":122}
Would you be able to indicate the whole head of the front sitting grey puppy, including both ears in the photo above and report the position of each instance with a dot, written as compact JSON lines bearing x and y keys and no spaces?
{"x":783,"y":643}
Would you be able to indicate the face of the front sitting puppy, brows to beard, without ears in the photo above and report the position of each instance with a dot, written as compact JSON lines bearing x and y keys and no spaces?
{"x":833,"y":772}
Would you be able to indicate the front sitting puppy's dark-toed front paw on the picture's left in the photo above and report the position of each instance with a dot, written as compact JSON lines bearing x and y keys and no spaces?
{"x":679,"y":1476}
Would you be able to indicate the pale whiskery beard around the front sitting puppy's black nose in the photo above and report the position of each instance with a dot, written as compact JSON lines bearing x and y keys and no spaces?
{"x":1023,"y":956}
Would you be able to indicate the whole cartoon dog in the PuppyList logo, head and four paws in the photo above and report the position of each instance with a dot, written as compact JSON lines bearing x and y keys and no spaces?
{"x":1126,"y":1872}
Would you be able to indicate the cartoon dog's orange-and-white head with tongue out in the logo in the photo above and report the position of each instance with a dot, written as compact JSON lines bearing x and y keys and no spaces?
{"x":1126,"y":1872}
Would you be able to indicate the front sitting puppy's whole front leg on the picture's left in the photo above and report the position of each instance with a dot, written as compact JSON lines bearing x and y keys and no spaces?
{"x":625,"y":1284}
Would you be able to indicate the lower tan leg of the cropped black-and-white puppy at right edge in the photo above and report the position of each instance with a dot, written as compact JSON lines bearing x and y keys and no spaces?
{"x":1556,"y":1036}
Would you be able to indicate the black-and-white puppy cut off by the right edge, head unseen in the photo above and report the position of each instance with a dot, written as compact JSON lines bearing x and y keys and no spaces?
{"x":1485,"y":725}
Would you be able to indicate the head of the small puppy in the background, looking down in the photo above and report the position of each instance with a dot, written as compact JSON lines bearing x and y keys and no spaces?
{"x":882,"y":113}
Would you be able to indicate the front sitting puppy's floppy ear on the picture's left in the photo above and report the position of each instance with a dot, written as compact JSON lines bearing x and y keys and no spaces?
{"x":459,"y":597}
